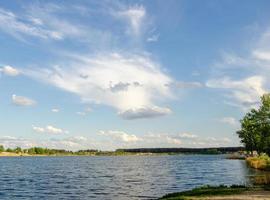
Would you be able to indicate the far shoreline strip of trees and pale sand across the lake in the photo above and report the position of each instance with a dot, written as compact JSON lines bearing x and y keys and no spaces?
{"x":40,"y":151}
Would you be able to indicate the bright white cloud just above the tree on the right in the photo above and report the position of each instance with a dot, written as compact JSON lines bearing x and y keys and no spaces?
{"x":245,"y":92}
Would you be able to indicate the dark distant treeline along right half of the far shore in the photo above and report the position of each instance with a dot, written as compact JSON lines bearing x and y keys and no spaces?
{"x":221,"y":150}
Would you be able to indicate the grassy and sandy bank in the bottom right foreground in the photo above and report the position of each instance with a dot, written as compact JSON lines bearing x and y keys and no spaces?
{"x":221,"y":192}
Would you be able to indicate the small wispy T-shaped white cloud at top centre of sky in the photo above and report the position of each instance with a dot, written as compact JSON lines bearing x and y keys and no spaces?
{"x":135,"y":16}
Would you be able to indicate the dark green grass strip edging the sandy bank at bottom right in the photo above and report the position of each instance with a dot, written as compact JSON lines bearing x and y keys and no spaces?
{"x":206,"y":191}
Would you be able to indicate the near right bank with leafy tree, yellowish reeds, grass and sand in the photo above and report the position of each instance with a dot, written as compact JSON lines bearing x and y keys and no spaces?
{"x":255,"y":136}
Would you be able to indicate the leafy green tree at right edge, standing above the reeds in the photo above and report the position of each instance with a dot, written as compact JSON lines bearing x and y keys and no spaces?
{"x":255,"y":128}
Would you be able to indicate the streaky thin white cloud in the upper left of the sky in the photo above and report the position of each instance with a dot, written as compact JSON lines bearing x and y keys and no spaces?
{"x":45,"y":21}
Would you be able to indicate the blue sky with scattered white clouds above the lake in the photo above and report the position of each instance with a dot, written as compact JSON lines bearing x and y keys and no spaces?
{"x":129,"y":74}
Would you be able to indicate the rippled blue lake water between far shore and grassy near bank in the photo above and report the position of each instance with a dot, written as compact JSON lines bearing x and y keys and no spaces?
{"x":121,"y":177}
